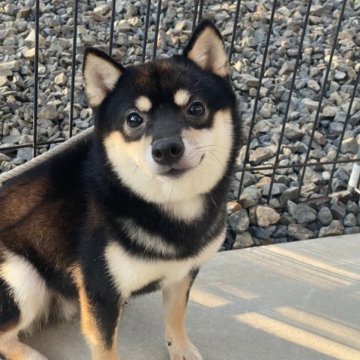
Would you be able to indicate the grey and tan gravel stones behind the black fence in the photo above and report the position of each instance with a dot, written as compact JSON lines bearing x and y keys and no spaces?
{"x":289,"y":215}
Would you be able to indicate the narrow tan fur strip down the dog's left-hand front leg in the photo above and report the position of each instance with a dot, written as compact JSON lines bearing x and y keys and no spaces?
{"x":89,"y":325}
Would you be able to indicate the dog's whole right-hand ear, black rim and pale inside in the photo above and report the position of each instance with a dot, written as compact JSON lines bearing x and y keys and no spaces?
{"x":206,"y":49}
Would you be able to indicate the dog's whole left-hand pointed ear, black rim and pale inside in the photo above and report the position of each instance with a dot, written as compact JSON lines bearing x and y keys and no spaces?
{"x":101,"y":73}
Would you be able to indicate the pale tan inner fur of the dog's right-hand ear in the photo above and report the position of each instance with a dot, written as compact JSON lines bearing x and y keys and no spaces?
{"x":209,"y":53}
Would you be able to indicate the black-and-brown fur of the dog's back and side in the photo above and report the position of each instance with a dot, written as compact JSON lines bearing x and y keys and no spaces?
{"x":43,"y":209}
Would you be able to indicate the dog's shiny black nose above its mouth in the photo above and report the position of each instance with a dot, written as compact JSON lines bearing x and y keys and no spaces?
{"x":167,"y":151}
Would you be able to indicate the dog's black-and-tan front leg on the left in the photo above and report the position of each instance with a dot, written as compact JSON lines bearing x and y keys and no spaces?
{"x":100,"y":312}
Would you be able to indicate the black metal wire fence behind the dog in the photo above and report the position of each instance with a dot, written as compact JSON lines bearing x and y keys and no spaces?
{"x":200,"y":8}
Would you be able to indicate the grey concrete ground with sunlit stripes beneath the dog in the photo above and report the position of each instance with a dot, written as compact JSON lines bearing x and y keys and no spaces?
{"x":293,"y":301}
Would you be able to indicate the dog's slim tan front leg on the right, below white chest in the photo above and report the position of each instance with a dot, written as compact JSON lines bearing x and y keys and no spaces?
{"x":175,"y":298}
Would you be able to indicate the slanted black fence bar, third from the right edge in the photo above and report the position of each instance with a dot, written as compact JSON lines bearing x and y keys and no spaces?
{"x":297,"y":62}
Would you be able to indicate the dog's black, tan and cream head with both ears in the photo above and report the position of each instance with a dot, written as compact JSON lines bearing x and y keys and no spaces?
{"x":168,"y":127}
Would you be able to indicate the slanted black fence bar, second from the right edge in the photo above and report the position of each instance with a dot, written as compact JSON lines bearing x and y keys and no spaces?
{"x":323,"y":90}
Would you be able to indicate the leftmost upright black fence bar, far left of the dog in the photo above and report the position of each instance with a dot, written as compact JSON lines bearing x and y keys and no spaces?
{"x":36,"y":75}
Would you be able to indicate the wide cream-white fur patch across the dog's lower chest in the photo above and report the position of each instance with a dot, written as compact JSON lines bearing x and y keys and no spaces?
{"x":131,"y":273}
